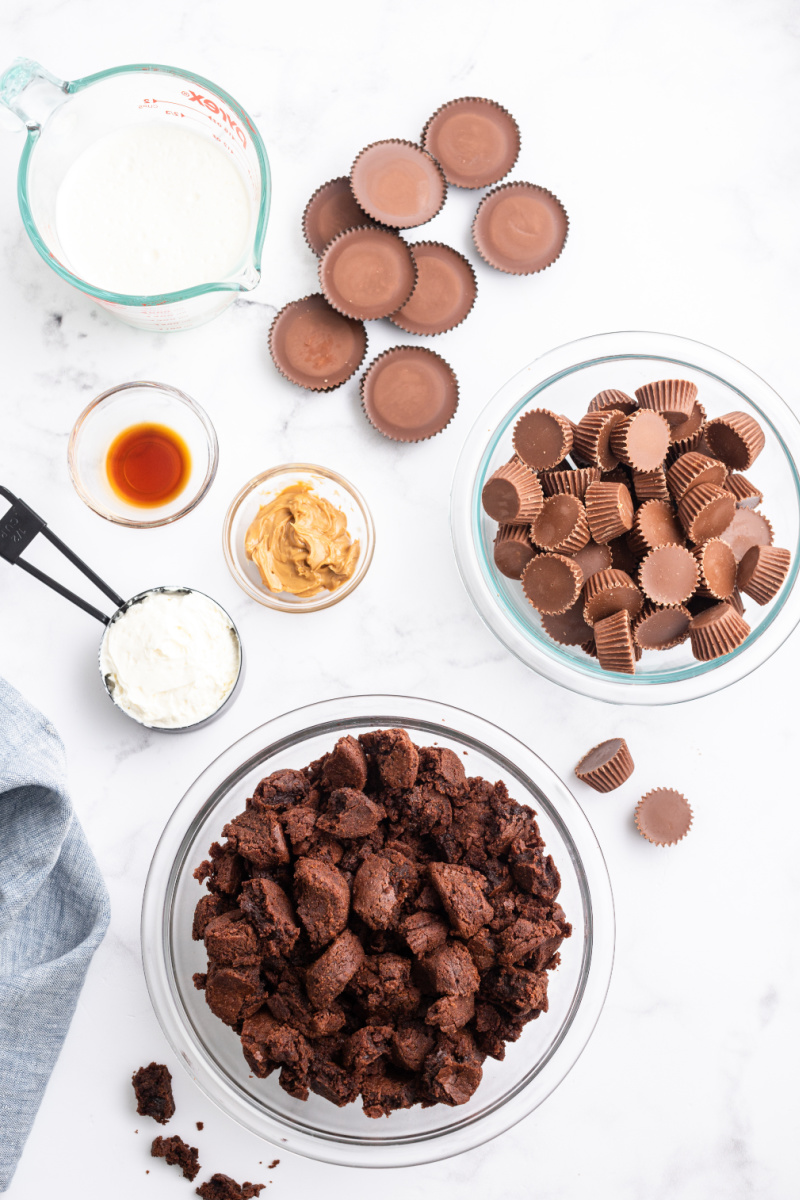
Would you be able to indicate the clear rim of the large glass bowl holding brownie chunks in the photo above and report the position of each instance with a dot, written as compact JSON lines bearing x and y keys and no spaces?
{"x":336,"y":717}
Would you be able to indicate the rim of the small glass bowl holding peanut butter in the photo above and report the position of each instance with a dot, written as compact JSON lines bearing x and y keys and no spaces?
{"x":273,"y":601}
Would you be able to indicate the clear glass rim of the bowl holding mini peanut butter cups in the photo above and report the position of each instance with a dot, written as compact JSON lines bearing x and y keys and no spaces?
{"x":478,"y":573}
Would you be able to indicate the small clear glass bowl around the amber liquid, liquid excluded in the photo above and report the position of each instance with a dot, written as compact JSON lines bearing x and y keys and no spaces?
{"x":137,"y":404}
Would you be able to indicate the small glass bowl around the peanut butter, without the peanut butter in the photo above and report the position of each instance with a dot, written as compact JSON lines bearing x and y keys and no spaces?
{"x":264,"y":488}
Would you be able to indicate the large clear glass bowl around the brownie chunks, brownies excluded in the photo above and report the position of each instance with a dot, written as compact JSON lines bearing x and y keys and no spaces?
{"x":212,"y":1053}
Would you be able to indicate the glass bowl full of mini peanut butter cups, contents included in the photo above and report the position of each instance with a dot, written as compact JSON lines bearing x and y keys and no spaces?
{"x":627,"y":518}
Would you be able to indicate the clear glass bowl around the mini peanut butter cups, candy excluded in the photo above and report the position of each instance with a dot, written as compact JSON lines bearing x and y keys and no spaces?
{"x":564,"y":381}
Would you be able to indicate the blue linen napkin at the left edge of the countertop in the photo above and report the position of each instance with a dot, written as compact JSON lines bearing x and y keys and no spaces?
{"x":53,"y":916}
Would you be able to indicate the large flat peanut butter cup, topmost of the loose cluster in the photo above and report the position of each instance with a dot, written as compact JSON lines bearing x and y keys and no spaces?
{"x":476,"y":141}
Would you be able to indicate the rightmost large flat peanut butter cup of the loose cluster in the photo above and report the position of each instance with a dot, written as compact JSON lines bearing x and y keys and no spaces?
{"x":520,"y":229}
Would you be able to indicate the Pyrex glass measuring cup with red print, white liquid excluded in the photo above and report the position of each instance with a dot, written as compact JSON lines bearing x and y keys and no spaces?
{"x":64,"y":118}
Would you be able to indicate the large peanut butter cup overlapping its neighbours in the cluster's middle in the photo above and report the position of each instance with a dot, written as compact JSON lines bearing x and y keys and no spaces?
{"x":368,"y":273}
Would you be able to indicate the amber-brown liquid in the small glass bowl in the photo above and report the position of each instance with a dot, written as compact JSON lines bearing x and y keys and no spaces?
{"x":148,"y":465}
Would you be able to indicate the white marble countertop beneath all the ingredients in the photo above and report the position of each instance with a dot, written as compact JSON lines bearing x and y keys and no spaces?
{"x":671,"y":134}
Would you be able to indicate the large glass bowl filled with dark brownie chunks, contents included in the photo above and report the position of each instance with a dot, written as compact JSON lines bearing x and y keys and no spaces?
{"x":378,"y":932}
